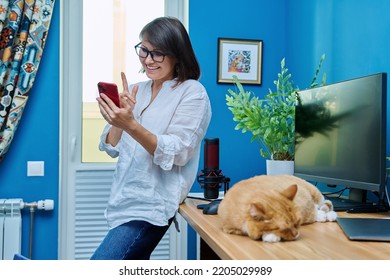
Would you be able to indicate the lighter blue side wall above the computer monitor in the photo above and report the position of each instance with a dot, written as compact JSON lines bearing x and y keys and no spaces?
{"x":354,"y":35}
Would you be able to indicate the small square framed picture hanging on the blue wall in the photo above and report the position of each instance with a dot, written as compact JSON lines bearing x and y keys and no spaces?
{"x":239,"y":57}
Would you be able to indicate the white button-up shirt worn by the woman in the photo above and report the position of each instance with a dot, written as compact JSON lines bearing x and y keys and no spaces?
{"x":150,"y":188}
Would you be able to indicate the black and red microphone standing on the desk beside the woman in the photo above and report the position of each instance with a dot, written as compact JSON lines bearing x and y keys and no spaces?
{"x":211,"y":177}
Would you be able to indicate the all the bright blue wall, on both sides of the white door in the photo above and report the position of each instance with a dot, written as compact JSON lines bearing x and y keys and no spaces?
{"x":354,"y":35}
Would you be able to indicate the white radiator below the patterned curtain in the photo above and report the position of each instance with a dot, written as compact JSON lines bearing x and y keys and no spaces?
{"x":10,"y":228}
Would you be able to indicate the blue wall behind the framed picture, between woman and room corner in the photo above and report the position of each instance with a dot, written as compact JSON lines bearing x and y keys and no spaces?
{"x":249,"y":19}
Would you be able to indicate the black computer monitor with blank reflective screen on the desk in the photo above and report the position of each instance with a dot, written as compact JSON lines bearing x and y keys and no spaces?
{"x":340,"y":134}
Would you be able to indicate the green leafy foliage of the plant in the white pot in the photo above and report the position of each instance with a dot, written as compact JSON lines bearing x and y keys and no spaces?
{"x":270,"y":120}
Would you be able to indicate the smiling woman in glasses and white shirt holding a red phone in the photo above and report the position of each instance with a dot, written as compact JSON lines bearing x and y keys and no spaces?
{"x":156,"y":134}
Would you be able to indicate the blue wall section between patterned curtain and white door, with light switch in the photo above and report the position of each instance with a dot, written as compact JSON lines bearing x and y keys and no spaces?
{"x":37,"y":139}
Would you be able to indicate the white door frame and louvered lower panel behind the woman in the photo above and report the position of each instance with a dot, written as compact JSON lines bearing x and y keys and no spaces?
{"x":85,"y":184}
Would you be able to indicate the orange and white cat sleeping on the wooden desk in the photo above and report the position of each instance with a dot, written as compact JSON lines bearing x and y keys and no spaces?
{"x":273,"y":207}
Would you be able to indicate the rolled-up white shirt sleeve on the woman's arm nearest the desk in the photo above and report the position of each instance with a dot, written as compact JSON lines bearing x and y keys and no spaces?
{"x":186,"y":129}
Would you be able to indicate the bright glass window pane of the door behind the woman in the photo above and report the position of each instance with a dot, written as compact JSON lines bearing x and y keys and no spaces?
{"x":108,"y":50}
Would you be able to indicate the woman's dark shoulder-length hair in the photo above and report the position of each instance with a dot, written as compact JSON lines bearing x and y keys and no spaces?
{"x":169,"y":36}
